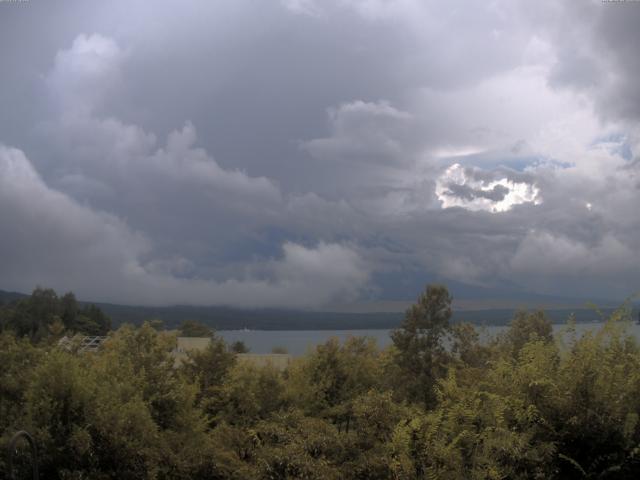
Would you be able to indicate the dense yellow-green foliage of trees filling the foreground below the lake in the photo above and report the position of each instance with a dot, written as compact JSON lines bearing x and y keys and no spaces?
{"x":439,"y":403}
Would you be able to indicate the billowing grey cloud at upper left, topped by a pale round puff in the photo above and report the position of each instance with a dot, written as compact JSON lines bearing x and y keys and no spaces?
{"x":162,"y":188}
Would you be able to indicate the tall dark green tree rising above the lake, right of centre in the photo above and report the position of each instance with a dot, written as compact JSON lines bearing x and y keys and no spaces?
{"x":419,"y":351}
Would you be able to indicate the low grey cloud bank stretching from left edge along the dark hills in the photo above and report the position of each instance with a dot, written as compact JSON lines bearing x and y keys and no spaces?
{"x":59,"y":242}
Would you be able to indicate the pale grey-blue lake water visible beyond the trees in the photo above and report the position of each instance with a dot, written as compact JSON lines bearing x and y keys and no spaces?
{"x":298,"y":342}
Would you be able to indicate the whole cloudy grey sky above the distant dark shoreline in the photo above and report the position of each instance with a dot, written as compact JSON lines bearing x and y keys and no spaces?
{"x":307,"y":153}
